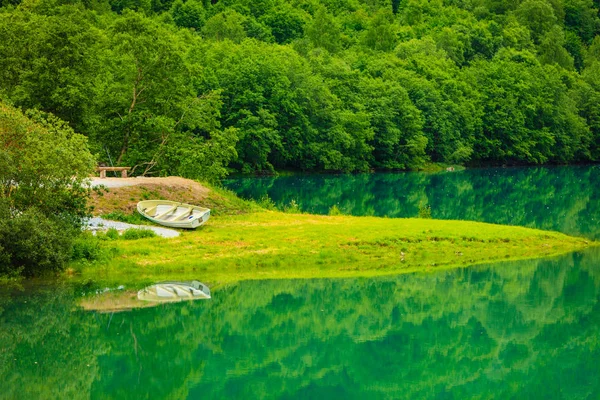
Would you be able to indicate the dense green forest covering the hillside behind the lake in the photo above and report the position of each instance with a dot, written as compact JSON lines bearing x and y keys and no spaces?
{"x":192,"y":87}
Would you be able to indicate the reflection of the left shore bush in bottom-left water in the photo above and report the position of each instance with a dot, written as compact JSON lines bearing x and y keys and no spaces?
{"x":46,"y":350}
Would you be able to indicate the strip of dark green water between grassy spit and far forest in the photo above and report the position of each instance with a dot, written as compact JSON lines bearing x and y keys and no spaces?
{"x":565,"y":199}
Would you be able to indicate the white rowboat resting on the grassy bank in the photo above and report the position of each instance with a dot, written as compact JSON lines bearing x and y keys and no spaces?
{"x":173,"y":214}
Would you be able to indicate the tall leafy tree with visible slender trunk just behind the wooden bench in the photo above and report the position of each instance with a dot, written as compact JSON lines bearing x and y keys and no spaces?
{"x":145,"y":95}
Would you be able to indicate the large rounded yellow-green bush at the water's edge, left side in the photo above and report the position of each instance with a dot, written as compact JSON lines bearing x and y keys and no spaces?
{"x":42,"y":193}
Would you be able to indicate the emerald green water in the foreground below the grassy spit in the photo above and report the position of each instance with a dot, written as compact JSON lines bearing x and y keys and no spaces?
{"x":516,"y":330}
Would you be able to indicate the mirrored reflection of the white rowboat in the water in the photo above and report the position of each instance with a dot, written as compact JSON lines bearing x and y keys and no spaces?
{"x":174,"y":291}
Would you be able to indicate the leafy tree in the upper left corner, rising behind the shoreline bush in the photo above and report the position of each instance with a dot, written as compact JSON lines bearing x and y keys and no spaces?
{"x":51,"y":66}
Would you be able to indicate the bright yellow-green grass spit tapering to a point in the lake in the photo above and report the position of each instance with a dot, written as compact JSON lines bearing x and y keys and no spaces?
{"x":277,"y":245}
